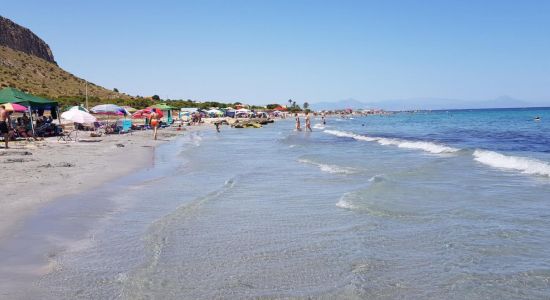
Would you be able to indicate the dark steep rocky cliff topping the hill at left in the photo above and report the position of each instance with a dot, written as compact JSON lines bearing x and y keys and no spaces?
{"x":22,"y":39}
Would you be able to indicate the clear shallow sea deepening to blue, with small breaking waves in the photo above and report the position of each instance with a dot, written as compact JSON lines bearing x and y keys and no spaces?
{"x":425,"y":205}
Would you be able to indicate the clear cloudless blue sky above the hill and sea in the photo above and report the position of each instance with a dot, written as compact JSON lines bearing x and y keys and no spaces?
{"x":269,"y":51}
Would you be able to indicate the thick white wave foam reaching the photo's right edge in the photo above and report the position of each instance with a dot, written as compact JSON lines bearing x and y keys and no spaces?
{"x":522,"y":164}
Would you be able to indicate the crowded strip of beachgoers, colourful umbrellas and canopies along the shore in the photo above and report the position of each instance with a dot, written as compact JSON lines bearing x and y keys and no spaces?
{"x":21,"y":123}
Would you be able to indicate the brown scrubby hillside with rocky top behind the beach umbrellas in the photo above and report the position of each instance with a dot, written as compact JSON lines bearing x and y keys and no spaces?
{"x":27,"y":63}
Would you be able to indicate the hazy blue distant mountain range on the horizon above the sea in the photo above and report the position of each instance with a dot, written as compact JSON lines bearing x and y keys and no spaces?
{"x":427,"y":104}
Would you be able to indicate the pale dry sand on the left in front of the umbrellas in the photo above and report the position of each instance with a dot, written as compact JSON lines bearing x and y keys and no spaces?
{"x":35,"y":173}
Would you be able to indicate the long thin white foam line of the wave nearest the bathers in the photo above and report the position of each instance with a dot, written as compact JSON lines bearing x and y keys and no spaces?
{"x":418,"y":145}
